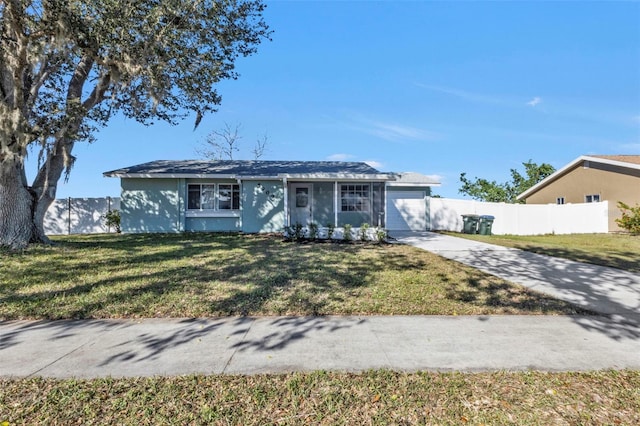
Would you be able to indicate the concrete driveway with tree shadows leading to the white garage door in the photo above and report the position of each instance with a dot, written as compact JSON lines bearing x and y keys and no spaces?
{"x":598,"y":288}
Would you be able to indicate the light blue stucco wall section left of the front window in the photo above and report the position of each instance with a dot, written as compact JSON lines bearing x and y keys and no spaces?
{"x":150,"y":205}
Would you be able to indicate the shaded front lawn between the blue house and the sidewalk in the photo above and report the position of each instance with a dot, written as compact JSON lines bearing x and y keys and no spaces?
{"x":201,"y":275}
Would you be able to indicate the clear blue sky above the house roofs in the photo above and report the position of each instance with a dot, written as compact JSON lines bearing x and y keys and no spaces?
{"x":438,"y":88}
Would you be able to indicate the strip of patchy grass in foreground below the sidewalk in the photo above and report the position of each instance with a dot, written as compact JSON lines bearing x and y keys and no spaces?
{"x":321,"y":398}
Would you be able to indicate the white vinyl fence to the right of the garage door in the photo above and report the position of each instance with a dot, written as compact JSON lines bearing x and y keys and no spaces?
{"x":522,"y":219}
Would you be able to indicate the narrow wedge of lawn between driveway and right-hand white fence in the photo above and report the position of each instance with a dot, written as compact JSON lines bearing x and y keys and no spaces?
{"x":615,"y":250}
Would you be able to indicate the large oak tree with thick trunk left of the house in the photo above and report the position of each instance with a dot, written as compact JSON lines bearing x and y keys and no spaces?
{"x":66,"y":66}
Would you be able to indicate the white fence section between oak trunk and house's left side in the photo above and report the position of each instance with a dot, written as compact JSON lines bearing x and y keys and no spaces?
{"x":79,"y":215}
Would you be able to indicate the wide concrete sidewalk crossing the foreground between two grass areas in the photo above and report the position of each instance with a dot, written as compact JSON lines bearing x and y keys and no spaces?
{"x":99,"y":348}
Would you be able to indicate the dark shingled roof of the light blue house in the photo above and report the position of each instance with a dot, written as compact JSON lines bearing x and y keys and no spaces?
{"x":240,"y":169}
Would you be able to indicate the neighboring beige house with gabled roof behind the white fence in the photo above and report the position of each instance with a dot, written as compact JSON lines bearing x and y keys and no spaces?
{"x":589,"y":179}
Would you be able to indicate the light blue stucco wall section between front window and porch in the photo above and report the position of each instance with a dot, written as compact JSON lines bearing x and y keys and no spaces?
{"x":262,"y":206}
